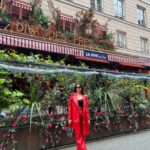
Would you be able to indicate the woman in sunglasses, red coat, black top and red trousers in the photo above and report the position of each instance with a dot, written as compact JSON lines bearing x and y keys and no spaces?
{"x":78,"y":115}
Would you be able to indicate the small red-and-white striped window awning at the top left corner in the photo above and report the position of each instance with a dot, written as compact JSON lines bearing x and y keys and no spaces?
{"x":21,"y":4}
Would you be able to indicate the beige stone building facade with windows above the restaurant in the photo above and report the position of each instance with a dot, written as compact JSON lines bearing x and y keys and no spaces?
{"x":128,"y":21}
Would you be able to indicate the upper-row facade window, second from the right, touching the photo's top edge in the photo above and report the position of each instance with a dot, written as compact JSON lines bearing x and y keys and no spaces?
{"x":118,"y":8}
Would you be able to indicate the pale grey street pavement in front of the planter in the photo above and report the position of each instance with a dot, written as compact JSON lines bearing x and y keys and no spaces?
{"x":135,"y":141}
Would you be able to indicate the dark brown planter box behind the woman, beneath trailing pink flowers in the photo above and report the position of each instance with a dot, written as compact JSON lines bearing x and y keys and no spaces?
{"x":33,"y":141}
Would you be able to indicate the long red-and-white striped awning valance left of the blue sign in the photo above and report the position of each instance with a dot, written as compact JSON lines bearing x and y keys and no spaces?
{"x":29,"y":43}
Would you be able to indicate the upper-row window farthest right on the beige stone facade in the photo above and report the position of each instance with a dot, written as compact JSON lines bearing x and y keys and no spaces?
{"x":141,"y":16}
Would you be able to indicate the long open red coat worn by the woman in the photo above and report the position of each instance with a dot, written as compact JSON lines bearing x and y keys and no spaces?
{"x":73,"y":114}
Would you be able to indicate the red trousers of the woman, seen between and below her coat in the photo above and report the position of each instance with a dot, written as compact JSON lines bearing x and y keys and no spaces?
{"x":80,"y":139}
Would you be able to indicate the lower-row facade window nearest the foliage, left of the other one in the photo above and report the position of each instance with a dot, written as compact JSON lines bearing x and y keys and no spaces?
{"x":121,"y":39}
